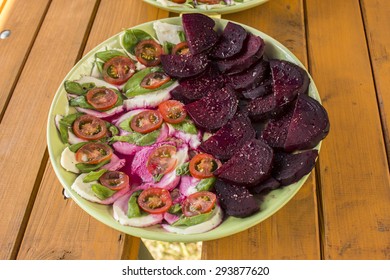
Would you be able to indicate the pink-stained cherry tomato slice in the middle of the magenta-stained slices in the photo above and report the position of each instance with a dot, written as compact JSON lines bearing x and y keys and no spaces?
{"x":162,"y":160}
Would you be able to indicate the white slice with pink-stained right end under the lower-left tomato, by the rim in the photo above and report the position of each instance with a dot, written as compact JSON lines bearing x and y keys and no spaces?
{"x":85,"y":191}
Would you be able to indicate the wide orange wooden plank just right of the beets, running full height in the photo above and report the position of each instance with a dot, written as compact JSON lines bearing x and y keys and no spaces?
{"x":353,"y":167}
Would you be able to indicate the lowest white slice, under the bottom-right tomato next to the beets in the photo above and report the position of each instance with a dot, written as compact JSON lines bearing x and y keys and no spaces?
{"x":213,"y":222}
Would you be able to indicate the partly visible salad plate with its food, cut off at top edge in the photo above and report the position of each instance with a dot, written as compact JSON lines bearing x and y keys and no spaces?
{"x":218,"y":7}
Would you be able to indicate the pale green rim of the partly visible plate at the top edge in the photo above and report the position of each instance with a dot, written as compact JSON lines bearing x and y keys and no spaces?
{"x":218,"y":11}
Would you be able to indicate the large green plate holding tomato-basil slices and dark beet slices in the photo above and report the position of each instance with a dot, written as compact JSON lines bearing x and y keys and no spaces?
{"x":185,"y":129}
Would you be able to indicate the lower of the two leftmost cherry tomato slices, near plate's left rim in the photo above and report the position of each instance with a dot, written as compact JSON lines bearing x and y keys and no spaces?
{"x":93,"y":153}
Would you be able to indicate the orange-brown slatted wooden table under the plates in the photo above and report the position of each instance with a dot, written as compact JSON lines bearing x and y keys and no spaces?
{"x":342,"y":212}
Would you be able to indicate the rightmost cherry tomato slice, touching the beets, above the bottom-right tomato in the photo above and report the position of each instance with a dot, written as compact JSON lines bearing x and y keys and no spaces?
{"x":203,"y":165}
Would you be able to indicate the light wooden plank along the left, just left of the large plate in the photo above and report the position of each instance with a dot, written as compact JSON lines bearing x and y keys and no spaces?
{"x":23,"y":129}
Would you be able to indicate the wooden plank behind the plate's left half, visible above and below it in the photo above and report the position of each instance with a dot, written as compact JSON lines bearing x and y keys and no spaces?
{"x":69,"y":232}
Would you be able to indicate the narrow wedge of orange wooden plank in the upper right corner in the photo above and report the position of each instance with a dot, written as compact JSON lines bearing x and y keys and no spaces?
{"x":376,"y":17}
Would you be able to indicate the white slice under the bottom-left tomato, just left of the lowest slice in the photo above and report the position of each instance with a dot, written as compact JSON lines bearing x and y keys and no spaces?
{"x":120,"y":214}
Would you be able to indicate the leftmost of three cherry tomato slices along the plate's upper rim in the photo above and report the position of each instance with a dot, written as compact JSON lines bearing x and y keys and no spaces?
{"x":118,"y":70}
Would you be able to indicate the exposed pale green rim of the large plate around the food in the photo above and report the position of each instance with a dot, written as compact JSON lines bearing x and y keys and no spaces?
{"x":272,"y":203}
